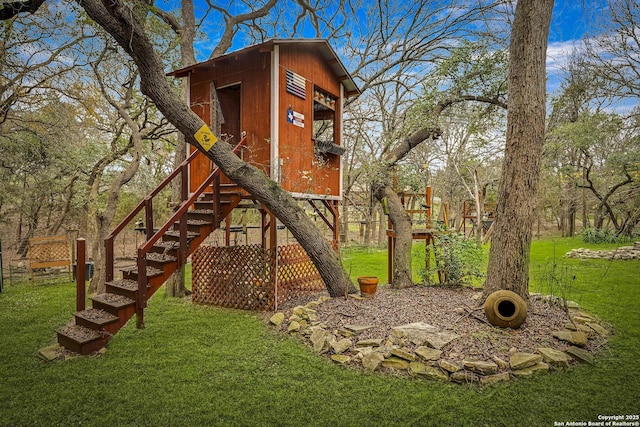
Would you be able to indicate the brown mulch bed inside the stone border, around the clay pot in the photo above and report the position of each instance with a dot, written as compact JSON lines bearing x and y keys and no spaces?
{"x":450,"y":308}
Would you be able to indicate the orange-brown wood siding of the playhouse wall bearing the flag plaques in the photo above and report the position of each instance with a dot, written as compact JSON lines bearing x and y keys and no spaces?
{"x":302,"y":171}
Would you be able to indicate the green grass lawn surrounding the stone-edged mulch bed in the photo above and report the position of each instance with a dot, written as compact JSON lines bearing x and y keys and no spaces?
{"x":202,"y":366}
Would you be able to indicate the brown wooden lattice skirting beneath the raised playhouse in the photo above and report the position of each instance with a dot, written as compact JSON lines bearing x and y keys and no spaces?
{"x":243,"y":276}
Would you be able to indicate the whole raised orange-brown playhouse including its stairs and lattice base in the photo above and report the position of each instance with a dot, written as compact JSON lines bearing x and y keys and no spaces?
{"x":280,"y":105}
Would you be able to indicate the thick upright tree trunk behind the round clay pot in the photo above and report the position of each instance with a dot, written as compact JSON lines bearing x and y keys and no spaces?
{"x":515,"y":212}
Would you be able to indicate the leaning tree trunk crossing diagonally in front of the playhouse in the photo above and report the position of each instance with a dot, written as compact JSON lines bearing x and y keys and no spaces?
{"x":116,"y":18}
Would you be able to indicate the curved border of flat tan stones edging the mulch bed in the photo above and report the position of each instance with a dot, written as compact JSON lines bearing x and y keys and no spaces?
{"x":390,"y":355}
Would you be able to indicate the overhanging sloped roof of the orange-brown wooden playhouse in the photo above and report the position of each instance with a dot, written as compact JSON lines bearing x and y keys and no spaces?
{"x":325,"y":49}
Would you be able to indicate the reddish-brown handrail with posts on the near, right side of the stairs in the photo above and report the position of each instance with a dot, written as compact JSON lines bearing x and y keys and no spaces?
{"x":178,"y":215}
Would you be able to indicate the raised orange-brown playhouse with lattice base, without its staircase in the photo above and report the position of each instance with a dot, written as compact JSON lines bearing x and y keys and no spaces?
{"x":285,"y":98}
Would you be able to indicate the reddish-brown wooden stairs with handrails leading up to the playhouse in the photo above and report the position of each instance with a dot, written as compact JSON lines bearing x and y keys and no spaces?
{"x":164,"y":252}
